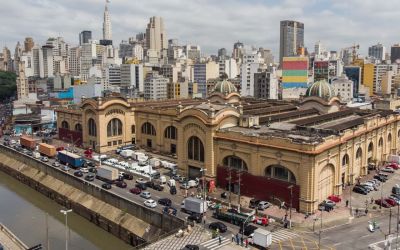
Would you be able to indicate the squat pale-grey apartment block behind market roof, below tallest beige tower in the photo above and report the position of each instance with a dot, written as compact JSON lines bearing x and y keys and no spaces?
{"x":155,"y":86}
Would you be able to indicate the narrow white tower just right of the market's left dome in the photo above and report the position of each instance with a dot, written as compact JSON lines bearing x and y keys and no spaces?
{"x":251,"y":64}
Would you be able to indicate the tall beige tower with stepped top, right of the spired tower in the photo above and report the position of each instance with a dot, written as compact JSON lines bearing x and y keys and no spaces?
{"x":156,"y":38}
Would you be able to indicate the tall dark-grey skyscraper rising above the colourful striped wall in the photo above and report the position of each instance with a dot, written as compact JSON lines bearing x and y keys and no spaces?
{"x":291,"y":38}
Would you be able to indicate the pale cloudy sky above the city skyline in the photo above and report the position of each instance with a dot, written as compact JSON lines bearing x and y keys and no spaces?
{"x":212,"y":24}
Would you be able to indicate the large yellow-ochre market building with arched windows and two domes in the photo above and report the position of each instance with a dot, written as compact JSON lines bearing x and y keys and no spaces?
{"x":298,"y":152}
